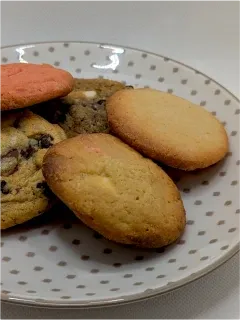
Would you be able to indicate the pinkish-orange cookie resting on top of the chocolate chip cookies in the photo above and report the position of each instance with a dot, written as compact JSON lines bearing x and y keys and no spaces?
{"x":24,"y":84}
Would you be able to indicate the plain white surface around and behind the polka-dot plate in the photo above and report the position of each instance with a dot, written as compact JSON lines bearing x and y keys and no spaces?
{"x":202,"y":33}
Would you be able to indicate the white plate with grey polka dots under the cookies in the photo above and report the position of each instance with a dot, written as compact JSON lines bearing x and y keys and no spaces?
{"x":56,"y":261}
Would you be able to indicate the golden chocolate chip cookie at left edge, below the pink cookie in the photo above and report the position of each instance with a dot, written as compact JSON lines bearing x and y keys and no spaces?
{"x":24,"y":140}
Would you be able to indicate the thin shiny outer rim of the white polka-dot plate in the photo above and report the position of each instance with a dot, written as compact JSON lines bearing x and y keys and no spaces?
{"x":147,"y":294}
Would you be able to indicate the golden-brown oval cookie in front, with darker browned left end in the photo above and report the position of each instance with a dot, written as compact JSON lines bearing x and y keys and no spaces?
{"x":115,"y":191}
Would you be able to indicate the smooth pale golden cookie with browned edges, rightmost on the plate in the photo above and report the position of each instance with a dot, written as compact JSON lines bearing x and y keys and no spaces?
{"x":167,"y":128}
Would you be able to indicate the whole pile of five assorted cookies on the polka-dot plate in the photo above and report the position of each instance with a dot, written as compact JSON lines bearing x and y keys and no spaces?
{"x":105,"y":170}
